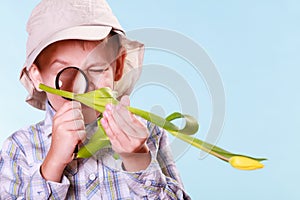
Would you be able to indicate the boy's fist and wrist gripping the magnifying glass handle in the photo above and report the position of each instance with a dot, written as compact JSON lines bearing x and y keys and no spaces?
{"x":67,"y":131}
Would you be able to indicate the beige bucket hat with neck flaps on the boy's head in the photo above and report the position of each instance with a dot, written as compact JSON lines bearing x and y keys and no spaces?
{"x":56,"y":20}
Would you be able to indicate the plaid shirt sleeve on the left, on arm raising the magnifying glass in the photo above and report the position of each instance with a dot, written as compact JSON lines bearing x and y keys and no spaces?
{"x":18,"y":180}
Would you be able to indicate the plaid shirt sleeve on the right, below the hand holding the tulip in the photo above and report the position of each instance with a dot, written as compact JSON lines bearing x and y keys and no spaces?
{"x":161,"y":179}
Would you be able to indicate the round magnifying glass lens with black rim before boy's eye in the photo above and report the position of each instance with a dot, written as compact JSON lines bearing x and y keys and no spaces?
{"x":72,"y":79}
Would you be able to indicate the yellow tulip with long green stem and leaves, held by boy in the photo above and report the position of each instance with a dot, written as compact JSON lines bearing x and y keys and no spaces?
{"x":99,"y":98}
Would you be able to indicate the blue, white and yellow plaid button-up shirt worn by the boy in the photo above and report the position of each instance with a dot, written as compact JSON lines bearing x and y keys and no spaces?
{"x":98,"y":177}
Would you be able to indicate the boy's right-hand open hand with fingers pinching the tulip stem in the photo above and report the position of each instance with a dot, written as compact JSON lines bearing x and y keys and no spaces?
{"x":127,"y":135}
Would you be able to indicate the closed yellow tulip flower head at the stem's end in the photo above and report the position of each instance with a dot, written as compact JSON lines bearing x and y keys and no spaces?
{"x":244,"y":163}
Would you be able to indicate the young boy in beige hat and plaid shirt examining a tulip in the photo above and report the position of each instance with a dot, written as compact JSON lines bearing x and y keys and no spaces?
{"x":38,"y":162}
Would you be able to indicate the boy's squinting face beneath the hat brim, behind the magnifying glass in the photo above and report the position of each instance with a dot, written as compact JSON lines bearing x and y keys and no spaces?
{"x":98,"y":62}
